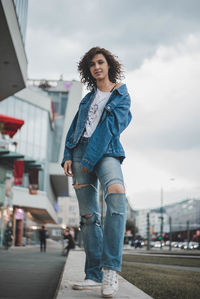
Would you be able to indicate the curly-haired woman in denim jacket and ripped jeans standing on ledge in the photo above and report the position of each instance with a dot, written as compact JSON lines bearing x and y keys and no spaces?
{"x":93,"y":152}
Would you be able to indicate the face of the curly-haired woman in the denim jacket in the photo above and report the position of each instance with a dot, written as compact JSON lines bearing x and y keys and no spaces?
{"x":99,"y":67}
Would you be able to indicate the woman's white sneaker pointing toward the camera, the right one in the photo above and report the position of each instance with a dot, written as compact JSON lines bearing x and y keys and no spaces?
{"x":110,"y":284}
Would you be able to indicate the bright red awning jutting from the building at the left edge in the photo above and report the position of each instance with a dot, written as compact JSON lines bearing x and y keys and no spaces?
{"x":10,"y":125}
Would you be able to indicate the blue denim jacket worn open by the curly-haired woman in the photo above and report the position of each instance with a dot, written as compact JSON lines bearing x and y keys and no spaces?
{"x":105,"y":139}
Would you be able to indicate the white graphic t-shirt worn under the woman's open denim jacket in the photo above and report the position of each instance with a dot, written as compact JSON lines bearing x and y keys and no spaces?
{"x":95,"y":112}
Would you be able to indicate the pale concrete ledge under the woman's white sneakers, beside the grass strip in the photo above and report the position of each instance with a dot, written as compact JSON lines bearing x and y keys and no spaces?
{"x":74,"y":271}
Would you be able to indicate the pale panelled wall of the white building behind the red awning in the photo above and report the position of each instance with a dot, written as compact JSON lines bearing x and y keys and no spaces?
{"x":33,"y":138}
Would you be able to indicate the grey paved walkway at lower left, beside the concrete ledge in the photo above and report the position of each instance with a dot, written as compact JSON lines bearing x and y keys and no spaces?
{"x":26,"y":273}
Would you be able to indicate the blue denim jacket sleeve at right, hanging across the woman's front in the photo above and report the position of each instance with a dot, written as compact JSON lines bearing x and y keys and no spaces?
{"x":116,"y":120}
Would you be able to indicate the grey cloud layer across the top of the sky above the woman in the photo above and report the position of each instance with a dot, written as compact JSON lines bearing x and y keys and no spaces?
{"x":133,"y":30}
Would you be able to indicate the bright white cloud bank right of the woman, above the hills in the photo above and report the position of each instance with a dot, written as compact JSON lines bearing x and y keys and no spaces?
{"x":163,"y":139}
